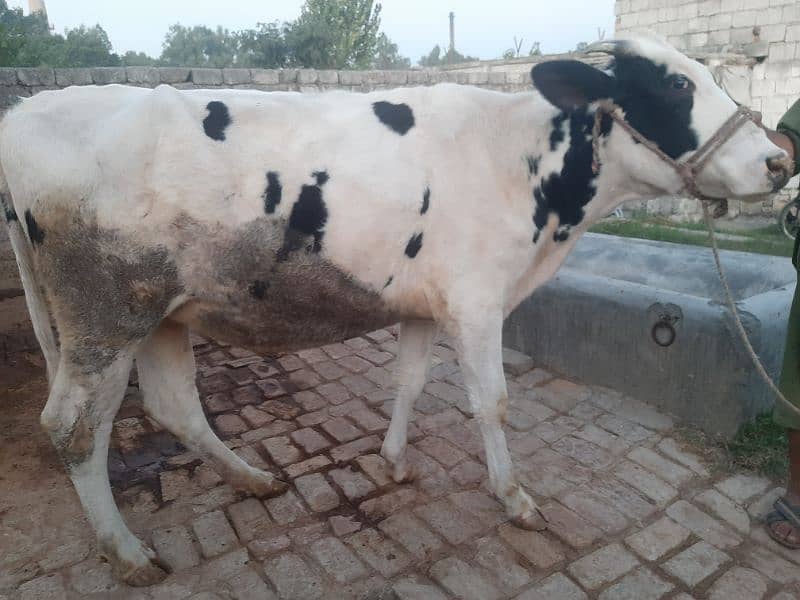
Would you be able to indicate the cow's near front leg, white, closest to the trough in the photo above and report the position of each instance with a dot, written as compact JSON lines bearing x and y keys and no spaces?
{"x":479,"y":341}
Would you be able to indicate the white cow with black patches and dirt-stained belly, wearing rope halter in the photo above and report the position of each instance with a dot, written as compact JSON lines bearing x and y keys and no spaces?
{"x":280,"y":221}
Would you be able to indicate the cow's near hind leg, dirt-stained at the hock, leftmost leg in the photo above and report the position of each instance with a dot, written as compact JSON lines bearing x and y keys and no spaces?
{"x":79,"y":416}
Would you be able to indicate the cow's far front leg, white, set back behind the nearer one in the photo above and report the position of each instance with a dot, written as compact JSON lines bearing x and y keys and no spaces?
{"x":416,"y":342}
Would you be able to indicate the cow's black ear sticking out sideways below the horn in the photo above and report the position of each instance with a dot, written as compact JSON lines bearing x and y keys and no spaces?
{"x":570,"y":84}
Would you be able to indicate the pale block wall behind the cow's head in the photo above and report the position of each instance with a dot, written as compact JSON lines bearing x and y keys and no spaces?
{"x":751,"y":46}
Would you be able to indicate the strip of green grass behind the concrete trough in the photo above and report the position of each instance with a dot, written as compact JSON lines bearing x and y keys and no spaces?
{"x":763,"y":240}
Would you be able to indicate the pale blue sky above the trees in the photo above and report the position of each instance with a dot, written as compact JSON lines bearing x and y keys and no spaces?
{"x":483,"y":29}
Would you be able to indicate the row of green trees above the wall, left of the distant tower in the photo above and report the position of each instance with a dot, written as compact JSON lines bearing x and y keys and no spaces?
{"x":328,"y":34}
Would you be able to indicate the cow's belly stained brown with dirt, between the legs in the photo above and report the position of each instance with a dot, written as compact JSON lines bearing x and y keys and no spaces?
{"x":245,"y":291}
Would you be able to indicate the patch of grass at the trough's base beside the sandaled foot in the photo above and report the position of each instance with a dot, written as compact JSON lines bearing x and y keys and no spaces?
{"x":759,"y":447}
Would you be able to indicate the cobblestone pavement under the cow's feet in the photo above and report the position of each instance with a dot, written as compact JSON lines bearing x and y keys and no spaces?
{"x":633,"y":515}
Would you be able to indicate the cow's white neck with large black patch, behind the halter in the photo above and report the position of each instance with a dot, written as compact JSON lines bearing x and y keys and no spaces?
{"x":547,"y":156}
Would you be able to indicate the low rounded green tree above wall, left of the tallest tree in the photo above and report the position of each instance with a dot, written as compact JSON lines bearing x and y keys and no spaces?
{"x":198,"y":46}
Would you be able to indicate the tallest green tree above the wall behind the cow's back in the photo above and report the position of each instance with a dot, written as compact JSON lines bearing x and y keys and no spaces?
{"x":335,"y":34}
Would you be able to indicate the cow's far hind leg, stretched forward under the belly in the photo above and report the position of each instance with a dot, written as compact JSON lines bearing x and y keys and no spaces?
{"x":166,"y":377}
